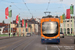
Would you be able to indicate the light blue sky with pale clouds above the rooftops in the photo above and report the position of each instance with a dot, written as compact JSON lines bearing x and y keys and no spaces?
{"x":36,"y":8}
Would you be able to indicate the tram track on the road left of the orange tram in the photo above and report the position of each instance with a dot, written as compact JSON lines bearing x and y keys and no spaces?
{"x":24,"y":44}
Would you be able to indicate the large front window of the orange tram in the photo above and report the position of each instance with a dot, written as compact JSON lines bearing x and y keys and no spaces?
{"x":50,"y":29}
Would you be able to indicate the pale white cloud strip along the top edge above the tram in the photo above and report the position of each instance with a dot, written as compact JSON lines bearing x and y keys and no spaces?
{"x":67,"y":2}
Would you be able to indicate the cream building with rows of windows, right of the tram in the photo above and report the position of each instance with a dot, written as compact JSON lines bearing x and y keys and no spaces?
{"x":67,"y":25}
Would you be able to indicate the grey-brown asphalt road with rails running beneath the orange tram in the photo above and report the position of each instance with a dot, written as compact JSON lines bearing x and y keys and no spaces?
{"x":34,"y":43}
